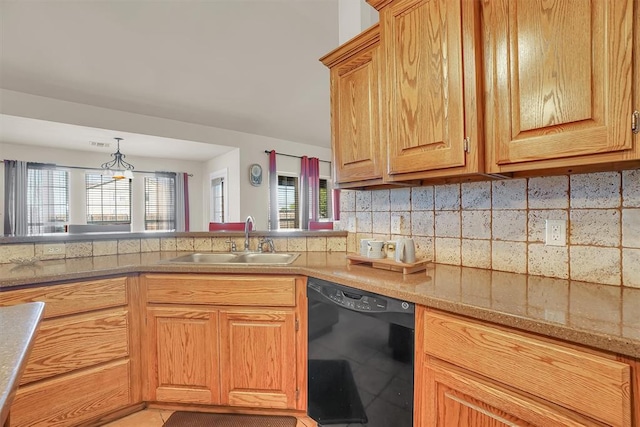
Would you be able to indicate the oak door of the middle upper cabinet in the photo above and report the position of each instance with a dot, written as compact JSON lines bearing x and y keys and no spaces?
{"x":423,"y":92}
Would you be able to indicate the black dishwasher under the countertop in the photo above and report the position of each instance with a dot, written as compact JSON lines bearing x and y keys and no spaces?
{"x":360,"y":357}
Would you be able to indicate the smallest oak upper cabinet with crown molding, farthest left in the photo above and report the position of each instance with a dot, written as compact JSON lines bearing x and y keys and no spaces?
{"x":355,"y":117}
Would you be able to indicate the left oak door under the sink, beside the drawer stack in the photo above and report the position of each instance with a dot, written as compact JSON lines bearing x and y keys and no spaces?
{"x":183,"y":359}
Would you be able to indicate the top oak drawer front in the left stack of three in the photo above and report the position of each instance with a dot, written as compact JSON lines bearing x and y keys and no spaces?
{"x":72,"y":298}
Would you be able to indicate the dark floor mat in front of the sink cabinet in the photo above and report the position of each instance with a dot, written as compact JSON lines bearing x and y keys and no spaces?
{"x":201,"y":419}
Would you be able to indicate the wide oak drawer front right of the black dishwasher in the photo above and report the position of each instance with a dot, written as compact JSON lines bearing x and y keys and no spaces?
{"x":589,"y":384}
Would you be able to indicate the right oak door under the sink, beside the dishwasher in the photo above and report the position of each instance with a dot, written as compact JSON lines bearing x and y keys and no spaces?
{"x":258,"y":352}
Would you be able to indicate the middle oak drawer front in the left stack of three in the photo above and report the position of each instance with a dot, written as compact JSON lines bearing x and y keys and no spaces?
{"x":66,"y":344}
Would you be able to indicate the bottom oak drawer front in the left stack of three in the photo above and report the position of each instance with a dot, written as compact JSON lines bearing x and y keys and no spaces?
{"x":73,"y":399}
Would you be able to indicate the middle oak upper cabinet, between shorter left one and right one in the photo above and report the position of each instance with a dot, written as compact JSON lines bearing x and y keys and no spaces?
{"x":430,"y":90}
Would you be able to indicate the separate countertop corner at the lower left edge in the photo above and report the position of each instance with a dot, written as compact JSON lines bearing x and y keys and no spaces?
{"x":18,"y":324}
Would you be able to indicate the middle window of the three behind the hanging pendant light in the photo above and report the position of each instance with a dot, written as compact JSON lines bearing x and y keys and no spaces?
{"x":108,"y":200}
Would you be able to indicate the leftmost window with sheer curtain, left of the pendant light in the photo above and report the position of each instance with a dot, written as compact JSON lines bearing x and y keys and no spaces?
{"x":47,"y":199}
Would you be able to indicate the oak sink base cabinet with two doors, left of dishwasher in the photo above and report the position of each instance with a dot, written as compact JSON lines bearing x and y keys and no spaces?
{"x":232,"y":340}
